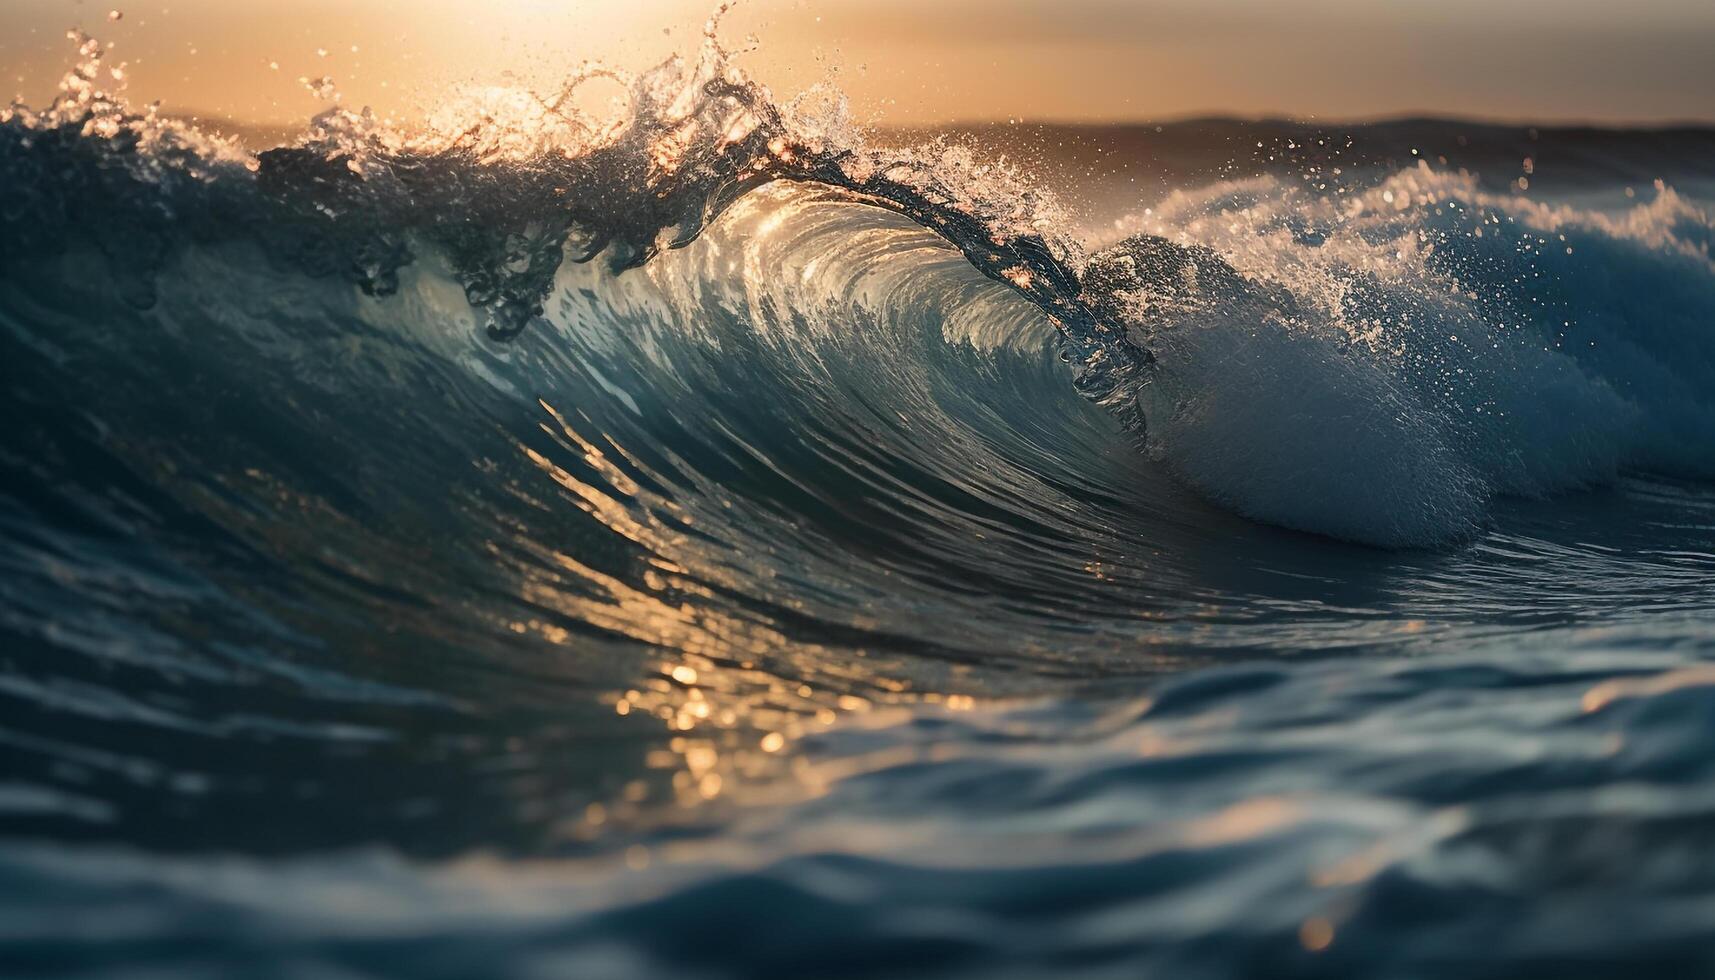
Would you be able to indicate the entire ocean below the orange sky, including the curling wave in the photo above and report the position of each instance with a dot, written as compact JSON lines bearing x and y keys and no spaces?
{"x":713,"y":541}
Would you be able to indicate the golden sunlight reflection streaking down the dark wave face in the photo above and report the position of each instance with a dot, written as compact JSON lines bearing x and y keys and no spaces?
{"x":731,"y":720}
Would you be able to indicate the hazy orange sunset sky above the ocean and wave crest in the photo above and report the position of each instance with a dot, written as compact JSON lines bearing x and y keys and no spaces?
{"x":922,"y":63}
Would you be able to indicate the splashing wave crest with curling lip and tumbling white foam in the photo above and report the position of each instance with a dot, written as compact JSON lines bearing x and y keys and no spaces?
{"x":1368,"y":360}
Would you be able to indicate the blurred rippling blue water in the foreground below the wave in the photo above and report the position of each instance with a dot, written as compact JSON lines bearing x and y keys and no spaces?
{"x":1507,"y":811}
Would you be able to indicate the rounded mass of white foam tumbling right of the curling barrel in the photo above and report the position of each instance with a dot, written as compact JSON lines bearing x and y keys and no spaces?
{"x":1390,"y":361}
